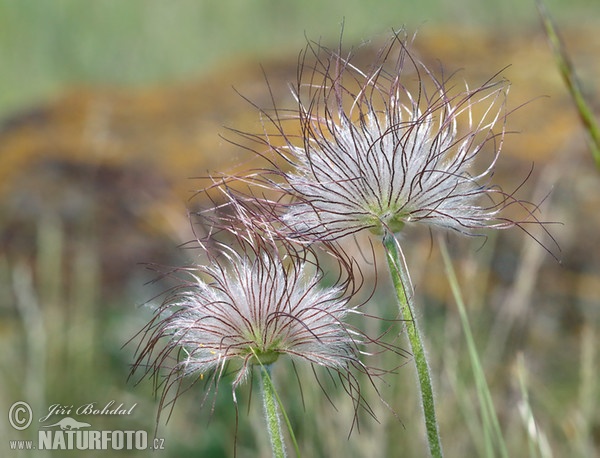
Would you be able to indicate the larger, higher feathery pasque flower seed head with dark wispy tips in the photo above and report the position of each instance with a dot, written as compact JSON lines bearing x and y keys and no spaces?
{"x":385,"y":147}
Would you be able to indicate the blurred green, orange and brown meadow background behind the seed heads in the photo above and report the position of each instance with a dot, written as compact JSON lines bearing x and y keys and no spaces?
{"x":108,"y":110}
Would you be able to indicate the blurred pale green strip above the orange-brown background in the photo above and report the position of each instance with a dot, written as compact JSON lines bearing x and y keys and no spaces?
{"x":47,"y":46}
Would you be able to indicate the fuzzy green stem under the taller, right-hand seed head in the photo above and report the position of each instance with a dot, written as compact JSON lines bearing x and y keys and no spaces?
{"x":402,"y":284}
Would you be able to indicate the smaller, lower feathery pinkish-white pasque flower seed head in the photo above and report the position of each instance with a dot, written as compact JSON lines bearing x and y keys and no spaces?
{"x":252,"y":301}
